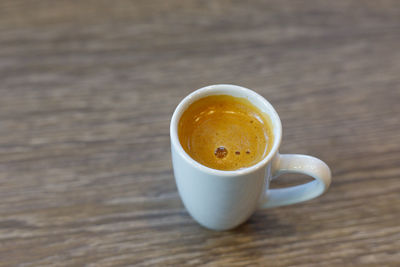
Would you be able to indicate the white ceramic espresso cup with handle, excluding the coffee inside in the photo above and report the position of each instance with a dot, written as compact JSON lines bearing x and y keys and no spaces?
{"x":222,"y":200}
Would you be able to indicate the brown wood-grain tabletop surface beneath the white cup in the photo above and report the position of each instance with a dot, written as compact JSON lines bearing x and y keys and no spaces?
{"x":87,"y":89}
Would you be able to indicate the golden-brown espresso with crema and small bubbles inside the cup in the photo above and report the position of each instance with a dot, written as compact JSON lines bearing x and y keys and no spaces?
{"x":225,"y":132}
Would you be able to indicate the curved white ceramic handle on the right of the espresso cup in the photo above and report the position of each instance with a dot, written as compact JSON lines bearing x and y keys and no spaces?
{"x":295,"y":163}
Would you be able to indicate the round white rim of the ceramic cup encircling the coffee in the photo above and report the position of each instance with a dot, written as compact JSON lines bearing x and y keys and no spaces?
{"x":215,"y":90}
